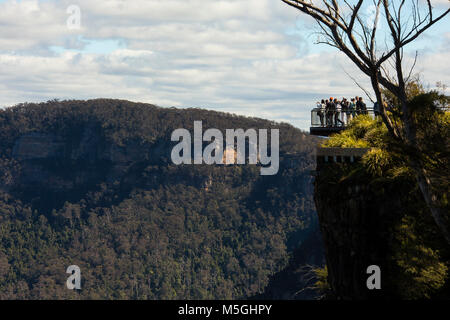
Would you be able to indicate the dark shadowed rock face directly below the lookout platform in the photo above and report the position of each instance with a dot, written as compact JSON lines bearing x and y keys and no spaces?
{"x":356,"y":220}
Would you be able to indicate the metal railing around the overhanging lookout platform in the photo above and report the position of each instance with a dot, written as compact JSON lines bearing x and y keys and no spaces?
{"x":336,"y":119}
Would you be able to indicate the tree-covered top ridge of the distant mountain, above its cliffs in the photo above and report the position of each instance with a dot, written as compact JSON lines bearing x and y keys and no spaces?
{"x":121,"y":121}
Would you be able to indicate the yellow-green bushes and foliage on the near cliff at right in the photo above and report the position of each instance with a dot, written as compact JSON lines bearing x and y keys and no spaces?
{"x":419,"y":253}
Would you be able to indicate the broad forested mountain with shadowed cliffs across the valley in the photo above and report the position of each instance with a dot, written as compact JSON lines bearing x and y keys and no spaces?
{"x":91,"y":183}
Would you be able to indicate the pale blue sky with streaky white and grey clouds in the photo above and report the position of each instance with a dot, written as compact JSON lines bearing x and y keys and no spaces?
{"x":249,"y":57}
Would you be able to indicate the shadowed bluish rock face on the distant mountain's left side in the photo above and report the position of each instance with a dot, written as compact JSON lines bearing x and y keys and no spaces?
{"x":71,"y":165}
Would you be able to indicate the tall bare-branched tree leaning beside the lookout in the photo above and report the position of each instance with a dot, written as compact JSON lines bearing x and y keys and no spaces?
{"x":344,"y":26}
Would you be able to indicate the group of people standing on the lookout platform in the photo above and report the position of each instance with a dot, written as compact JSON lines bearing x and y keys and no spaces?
{"x":338,"y":113}
